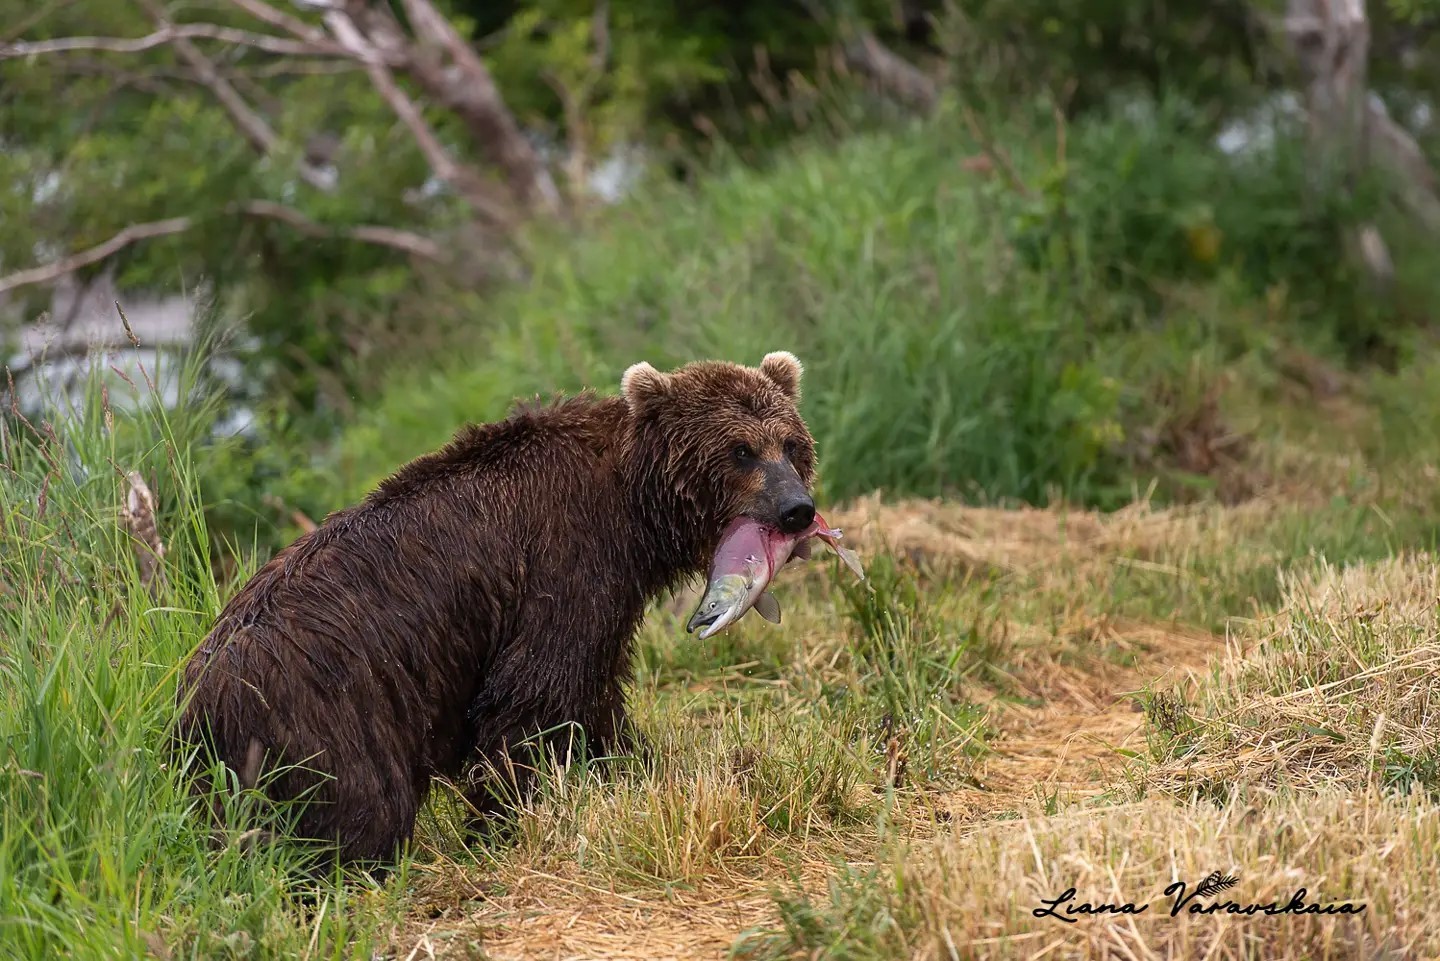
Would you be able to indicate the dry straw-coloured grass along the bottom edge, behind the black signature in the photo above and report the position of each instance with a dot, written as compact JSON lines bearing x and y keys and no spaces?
{"x":974,"y":895}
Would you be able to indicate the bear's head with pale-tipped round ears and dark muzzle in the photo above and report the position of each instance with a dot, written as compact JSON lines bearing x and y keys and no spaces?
{"x":722,"y":440}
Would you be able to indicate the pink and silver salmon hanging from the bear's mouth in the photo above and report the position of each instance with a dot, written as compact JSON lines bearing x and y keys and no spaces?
{"x":747,"y":561}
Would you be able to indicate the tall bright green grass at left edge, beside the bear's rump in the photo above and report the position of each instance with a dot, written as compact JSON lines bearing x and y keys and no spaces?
{"x":102,"y":848}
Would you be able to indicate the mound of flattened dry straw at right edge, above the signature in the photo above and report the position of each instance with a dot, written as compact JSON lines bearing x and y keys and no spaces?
{"x":1337,"y":689}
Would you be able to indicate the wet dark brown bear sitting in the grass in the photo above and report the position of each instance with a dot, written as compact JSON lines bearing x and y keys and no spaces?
{"x":487,"y":593}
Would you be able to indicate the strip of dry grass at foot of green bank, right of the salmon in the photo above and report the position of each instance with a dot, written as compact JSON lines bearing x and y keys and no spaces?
{"x":1205,"y":566}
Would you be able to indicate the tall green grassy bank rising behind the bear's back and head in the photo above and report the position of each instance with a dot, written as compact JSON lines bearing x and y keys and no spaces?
{"x":991,"y":323}
